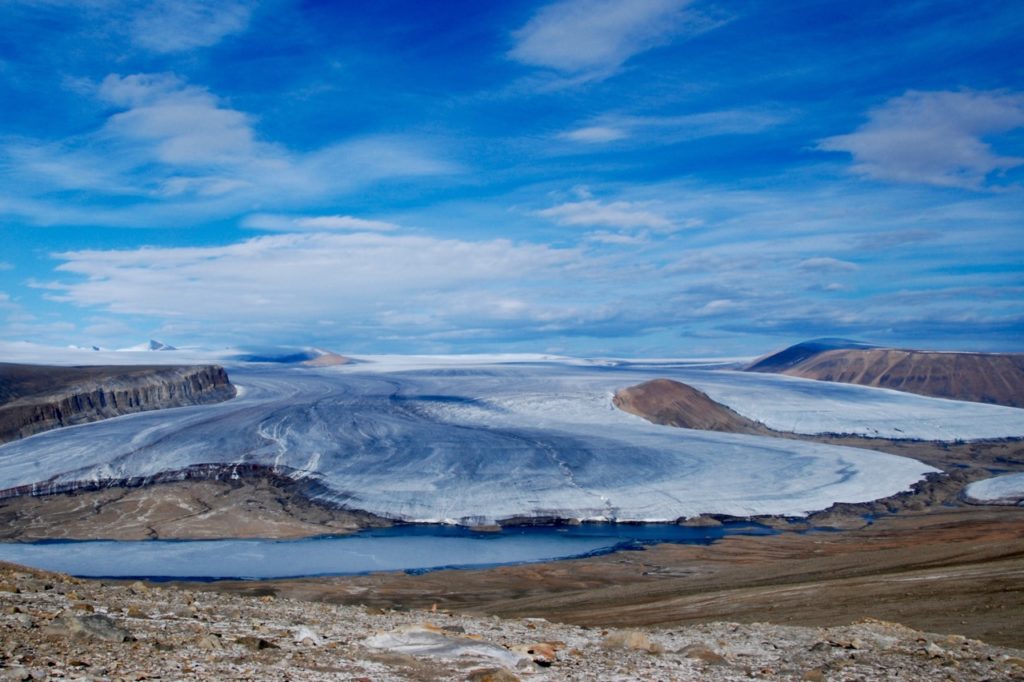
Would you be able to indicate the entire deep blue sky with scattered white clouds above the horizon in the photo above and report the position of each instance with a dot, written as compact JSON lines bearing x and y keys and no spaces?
{"x":585,"y":178}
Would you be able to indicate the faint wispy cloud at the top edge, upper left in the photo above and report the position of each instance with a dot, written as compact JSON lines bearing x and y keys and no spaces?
{"x":175,"y":26}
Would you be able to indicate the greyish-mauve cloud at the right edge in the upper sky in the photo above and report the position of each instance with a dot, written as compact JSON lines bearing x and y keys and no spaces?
{"x":934,"y":139}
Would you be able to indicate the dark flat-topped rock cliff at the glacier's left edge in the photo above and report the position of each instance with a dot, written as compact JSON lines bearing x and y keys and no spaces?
{"x":36,"y":399}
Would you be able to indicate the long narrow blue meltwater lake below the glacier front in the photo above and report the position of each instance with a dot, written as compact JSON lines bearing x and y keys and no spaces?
{"x":408,"y":548}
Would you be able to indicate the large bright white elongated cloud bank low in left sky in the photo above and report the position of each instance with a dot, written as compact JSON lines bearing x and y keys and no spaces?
{"x":359,"y":279}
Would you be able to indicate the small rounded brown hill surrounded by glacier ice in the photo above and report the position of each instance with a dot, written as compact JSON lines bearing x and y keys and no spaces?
{"x":674,"y":404}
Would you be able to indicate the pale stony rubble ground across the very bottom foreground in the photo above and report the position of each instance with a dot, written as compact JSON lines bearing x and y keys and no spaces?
{"x":54,"y":626}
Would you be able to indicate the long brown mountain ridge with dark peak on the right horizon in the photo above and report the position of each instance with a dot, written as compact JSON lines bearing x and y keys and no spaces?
{"x":995,"y":378}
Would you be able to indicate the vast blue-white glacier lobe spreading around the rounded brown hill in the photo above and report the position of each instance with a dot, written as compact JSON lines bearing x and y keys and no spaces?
{"x":477,"y":440}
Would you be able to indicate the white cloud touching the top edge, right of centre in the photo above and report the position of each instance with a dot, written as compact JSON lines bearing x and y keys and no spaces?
{"x":575,"y":36}
